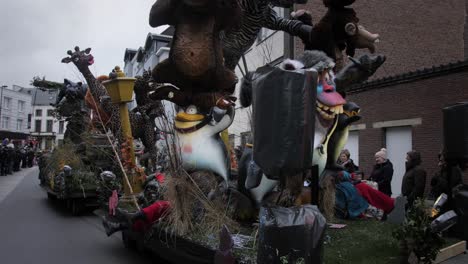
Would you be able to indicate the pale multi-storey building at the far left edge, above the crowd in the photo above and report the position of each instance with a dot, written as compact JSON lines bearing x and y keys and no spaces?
{"x":15,"y":111}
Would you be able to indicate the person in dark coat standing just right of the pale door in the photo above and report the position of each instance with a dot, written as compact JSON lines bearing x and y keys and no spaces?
{"x":414,"y":180}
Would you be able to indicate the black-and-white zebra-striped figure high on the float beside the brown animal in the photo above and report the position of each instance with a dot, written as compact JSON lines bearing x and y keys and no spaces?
{"x":255,"y":15}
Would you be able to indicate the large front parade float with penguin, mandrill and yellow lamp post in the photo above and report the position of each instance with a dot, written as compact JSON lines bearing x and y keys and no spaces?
{"x":276,"y":209}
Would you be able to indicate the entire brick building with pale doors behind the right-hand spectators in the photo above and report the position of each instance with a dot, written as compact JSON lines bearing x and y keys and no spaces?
{"x":425,"y":45}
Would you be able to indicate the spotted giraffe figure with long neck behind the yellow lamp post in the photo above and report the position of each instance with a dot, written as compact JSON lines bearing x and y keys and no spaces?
{"x":141,"y":122}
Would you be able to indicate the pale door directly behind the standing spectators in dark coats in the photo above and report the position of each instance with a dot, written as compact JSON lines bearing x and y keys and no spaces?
{"x":398,"y":143}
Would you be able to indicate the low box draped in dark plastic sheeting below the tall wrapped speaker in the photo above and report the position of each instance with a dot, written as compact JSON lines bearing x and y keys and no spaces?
{"x":293,"y":234}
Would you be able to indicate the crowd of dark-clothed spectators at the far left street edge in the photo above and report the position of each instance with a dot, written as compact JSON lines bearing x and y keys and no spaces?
{"x":13,"y":157}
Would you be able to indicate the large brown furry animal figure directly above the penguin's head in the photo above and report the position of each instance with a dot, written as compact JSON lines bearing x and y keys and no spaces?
{"x":195,"y":64}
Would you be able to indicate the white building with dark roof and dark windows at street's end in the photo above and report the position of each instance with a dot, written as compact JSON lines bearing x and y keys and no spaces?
{"x":45,"y":129}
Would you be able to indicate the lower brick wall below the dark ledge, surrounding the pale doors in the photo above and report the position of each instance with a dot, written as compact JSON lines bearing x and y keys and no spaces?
{"x":419,"y":99}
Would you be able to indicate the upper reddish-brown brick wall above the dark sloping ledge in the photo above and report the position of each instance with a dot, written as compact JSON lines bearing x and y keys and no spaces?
{"x":414,"y":34}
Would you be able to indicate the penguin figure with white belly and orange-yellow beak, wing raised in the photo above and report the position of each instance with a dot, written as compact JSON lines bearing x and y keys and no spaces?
{"x":200,"y":144}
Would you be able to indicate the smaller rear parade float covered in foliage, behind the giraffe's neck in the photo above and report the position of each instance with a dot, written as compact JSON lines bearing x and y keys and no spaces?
{"x":68,"y":173}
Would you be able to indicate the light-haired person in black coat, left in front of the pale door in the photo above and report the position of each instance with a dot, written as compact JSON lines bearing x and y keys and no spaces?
{"x":382,"y":172}
